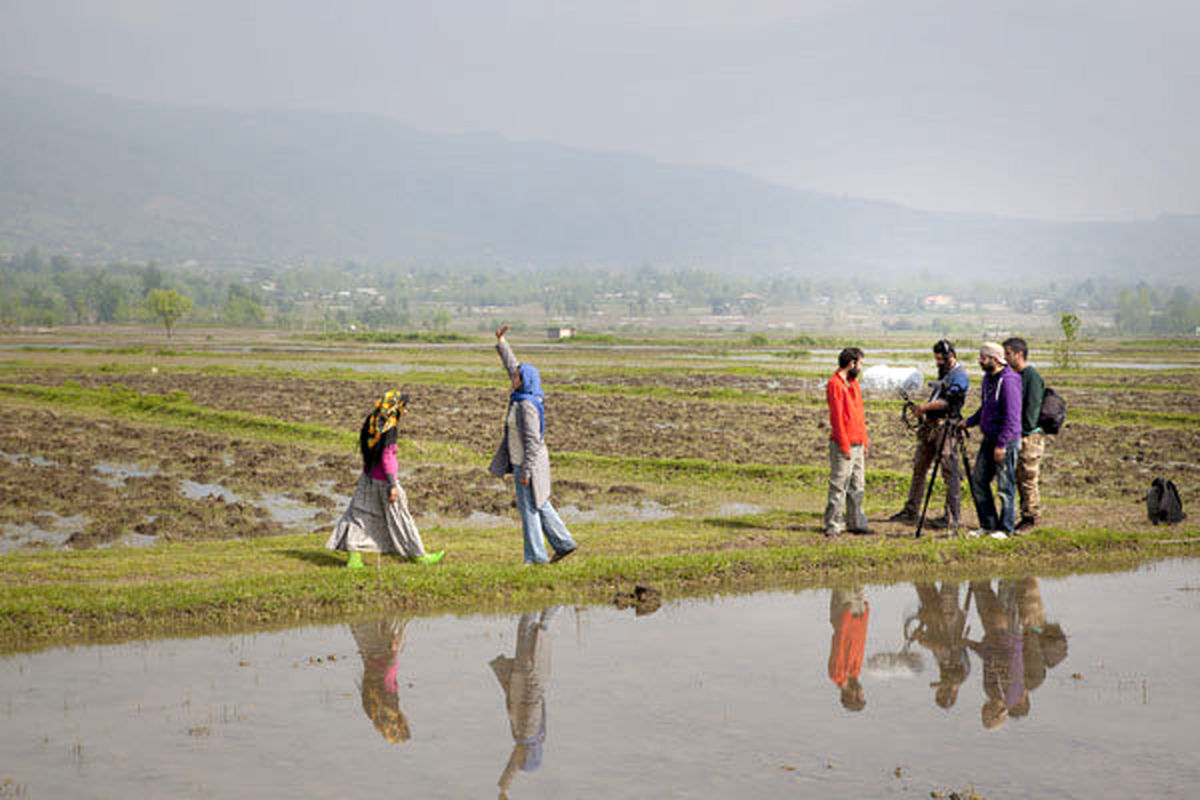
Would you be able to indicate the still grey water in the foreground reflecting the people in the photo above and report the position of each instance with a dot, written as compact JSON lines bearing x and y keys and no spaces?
{"x":1075,"y":688}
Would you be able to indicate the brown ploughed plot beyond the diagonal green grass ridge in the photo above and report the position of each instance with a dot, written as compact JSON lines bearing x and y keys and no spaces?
{"x":1084,"y":456}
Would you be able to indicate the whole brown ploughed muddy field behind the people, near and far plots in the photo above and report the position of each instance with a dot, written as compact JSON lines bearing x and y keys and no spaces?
{"x":101,"y":482}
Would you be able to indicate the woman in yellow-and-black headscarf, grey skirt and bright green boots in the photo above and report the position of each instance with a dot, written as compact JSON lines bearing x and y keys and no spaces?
{"x":377,"y":521}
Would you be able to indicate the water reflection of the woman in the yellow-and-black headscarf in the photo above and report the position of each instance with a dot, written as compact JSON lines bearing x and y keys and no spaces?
{"x":381,"y":643}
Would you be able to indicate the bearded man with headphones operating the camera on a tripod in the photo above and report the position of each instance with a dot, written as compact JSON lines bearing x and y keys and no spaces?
{"x":944,"y":408}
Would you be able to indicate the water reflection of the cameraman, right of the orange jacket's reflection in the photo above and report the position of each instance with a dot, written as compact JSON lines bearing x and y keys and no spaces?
{"x":941,"y":629}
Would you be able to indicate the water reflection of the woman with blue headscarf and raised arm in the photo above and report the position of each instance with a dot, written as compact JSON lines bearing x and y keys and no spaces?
{"x":525,"y":678}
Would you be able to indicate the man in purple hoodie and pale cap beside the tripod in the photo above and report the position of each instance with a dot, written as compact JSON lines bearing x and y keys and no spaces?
{"x":1000,"y":422}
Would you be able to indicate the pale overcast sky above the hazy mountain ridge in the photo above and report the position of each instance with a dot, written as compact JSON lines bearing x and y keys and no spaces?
{"x":1063,"y":110}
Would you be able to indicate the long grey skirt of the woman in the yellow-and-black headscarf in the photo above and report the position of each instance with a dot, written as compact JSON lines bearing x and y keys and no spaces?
{"x":371,"y":525}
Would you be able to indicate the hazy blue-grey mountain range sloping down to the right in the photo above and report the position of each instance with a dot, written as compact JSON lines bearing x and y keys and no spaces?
{"x":112,"y":178}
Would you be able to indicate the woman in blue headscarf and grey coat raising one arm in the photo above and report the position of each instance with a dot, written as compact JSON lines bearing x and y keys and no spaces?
{"x":524,"y":453}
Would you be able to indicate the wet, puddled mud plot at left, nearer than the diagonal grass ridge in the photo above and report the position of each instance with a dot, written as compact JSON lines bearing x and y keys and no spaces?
{"x":125,"y":479}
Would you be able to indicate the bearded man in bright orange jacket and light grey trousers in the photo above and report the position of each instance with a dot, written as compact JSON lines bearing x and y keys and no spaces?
{"x":848,"y":448}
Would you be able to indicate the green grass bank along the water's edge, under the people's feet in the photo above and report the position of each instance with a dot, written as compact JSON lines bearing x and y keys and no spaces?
{"x":197,"y":588}
